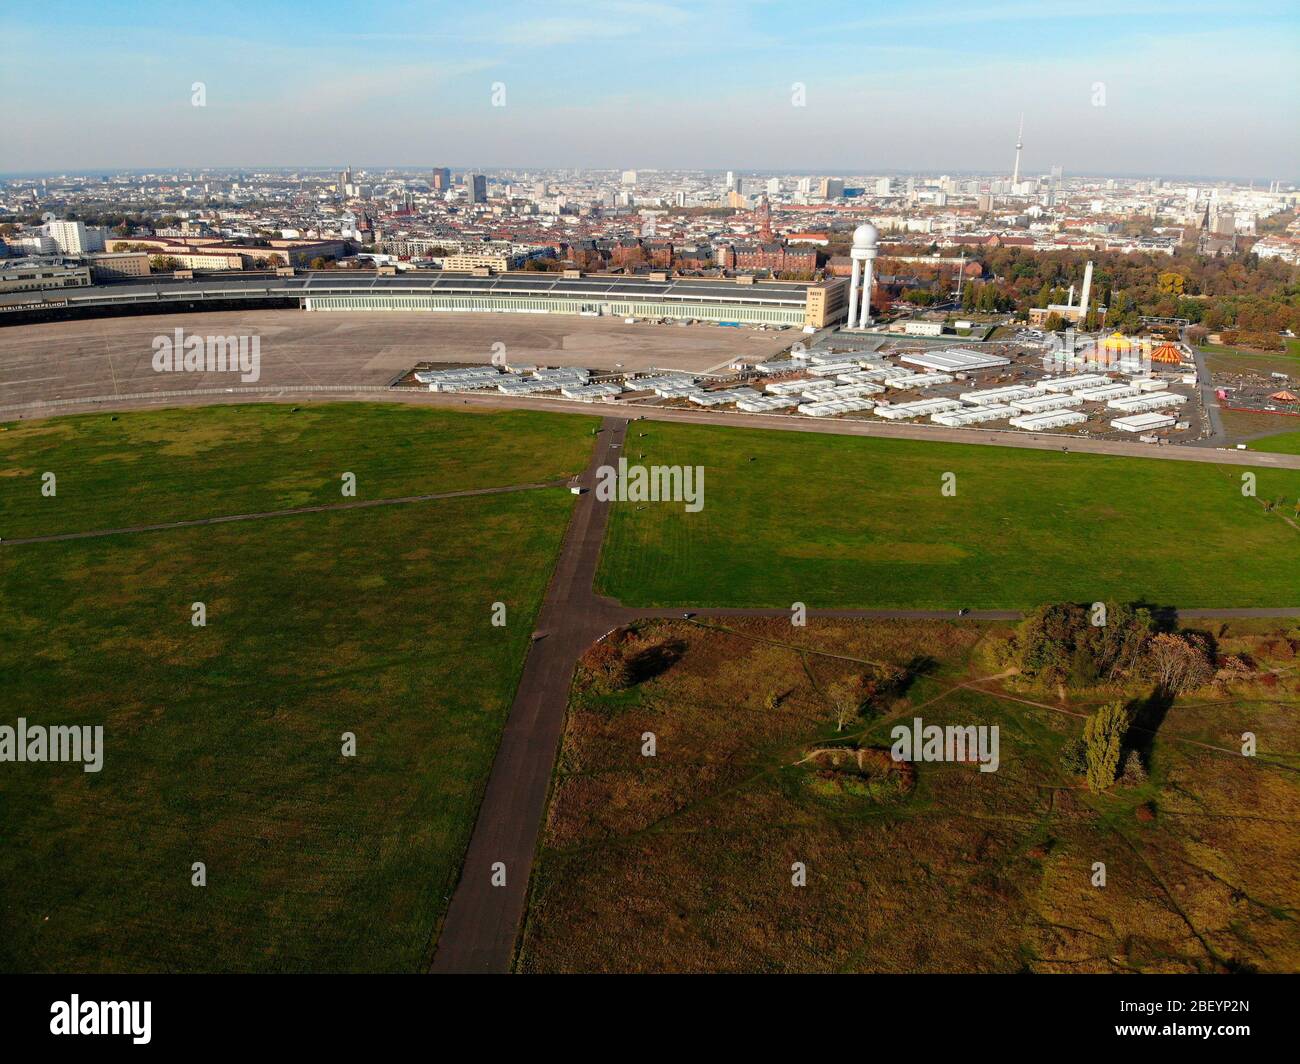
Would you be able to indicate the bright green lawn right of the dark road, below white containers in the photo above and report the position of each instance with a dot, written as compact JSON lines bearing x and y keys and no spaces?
{"x":834,"y":521}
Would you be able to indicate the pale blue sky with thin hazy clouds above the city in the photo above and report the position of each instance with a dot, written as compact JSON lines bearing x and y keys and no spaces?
{"x":1106,"y":86}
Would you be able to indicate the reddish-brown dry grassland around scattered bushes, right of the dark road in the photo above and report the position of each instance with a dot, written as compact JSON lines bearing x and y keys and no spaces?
{"x":683,"y":863}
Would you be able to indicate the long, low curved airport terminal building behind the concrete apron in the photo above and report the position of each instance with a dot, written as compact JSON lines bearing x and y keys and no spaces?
{"x":742,"y":301}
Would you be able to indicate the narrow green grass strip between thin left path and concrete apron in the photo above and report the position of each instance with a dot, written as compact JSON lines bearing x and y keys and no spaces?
{"x":177,"y":465}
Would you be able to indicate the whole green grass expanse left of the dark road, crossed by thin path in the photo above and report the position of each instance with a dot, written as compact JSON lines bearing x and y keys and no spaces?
{"x":223,"y":743}
